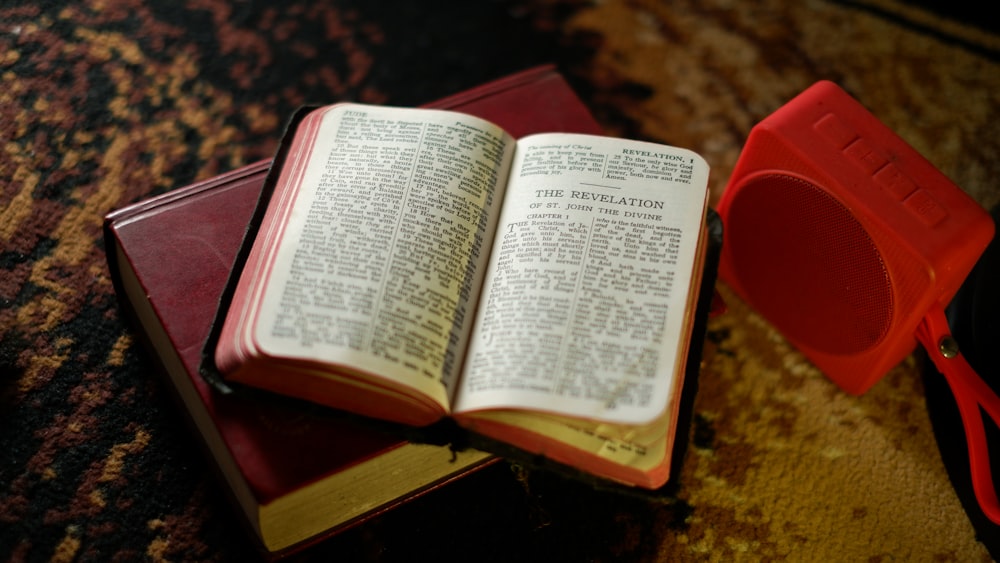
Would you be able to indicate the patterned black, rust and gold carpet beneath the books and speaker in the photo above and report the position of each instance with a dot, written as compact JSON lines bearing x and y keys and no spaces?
{"x":108,"y":102}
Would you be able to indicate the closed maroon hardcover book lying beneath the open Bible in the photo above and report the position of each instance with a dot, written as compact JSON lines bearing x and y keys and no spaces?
{"x":295,"y":476}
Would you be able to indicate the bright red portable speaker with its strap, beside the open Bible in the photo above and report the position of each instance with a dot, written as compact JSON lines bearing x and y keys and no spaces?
{"x":851,"y":244}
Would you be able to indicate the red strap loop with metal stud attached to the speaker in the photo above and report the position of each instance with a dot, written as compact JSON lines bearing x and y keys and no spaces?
{"x":973,"y":396}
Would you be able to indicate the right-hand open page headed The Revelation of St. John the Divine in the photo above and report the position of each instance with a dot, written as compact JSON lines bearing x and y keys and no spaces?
{"x":584,"y":307}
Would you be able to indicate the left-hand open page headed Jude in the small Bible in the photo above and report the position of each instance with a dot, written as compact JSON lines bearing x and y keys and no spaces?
{"x":378,"y":265}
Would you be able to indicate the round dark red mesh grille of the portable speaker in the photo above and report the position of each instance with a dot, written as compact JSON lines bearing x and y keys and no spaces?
{"x":807,"y":264}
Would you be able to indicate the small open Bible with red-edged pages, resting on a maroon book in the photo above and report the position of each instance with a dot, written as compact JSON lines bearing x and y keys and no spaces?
{"x":416,"y":264}
